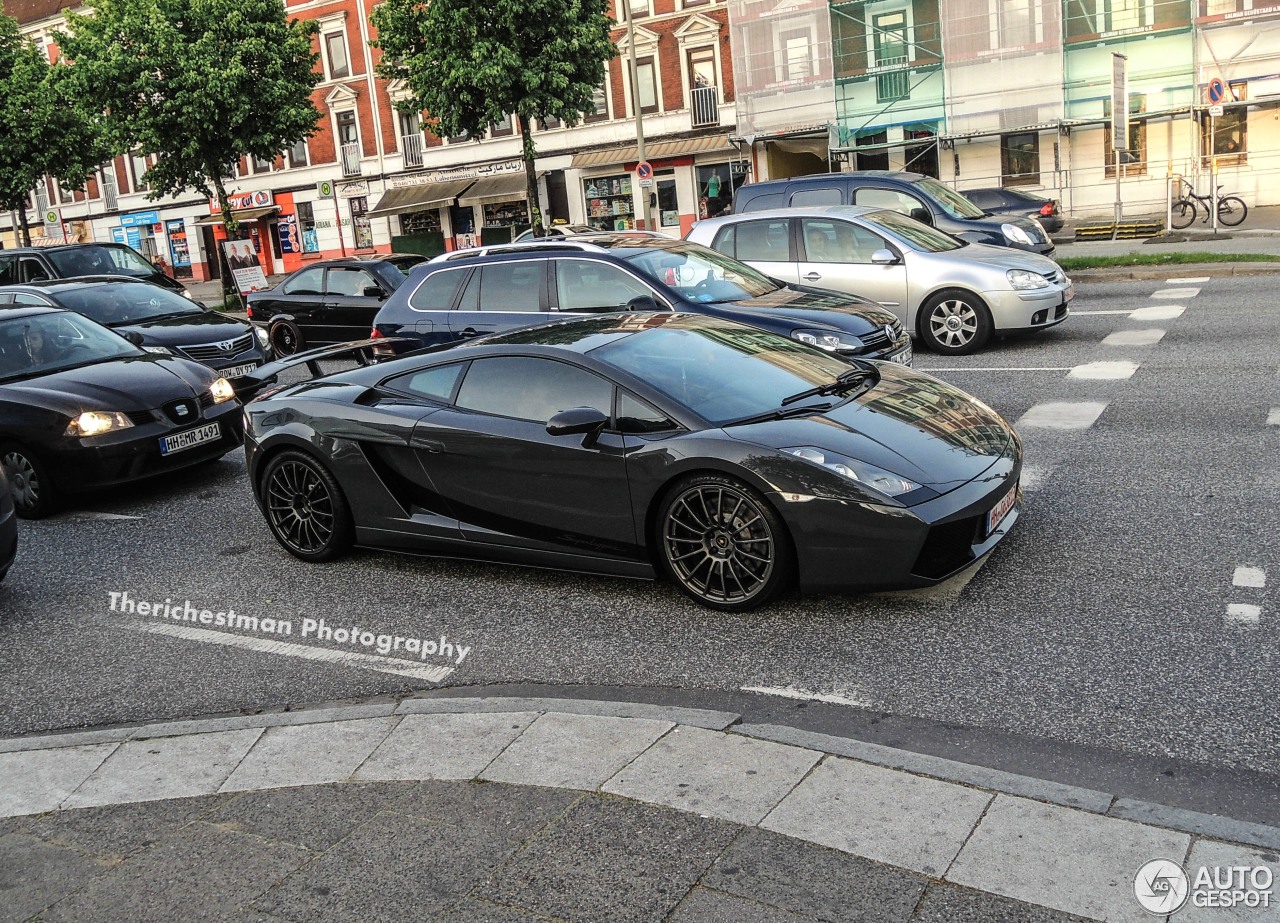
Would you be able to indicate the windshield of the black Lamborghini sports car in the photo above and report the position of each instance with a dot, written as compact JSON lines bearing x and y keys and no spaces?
{"x":723,"y":374}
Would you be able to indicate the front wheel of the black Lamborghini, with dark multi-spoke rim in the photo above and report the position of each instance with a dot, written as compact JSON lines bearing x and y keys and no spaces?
{"x":723,"y":543}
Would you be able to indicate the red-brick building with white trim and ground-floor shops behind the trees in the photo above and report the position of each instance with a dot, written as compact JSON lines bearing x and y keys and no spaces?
{"x":399,"y":186}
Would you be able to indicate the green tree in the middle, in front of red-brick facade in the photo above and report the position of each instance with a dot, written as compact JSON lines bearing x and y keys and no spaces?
{"x":472,"y":65}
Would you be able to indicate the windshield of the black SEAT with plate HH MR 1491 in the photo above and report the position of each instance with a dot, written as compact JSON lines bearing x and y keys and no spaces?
{"x":43,"y":344}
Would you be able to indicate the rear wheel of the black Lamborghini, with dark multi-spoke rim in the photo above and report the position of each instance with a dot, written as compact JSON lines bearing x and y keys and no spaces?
{"x":305,"y":508}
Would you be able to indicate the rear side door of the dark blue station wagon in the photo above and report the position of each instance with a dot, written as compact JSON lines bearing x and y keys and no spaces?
{"x":502,"y":296}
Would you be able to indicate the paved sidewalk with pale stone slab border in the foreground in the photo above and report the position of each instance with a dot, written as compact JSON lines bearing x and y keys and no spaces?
{"x":514,"y":811}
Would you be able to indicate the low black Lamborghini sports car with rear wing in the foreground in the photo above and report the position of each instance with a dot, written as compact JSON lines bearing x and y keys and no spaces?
{"x":732,"y":460}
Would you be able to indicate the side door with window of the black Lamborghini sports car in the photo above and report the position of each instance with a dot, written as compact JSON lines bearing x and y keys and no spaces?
{"x":509,"y":482}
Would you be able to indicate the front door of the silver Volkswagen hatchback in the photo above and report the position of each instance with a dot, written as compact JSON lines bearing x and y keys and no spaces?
{"x":838,"y":255}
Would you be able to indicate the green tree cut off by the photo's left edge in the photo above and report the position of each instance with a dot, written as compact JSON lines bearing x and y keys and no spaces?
{"x":45,"y":129}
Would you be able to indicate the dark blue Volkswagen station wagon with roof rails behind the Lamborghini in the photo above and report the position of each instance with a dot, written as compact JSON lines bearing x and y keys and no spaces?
{"x":472,"y":294}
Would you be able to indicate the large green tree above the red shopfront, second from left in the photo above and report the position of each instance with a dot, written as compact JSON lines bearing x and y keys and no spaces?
{"x":196,"y":84}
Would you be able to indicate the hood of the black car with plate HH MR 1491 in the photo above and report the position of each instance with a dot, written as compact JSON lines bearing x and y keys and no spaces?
{"x":124,"y":385}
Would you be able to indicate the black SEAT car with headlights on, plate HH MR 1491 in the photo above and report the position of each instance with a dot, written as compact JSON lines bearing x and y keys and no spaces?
{"x":84,"y":408}
